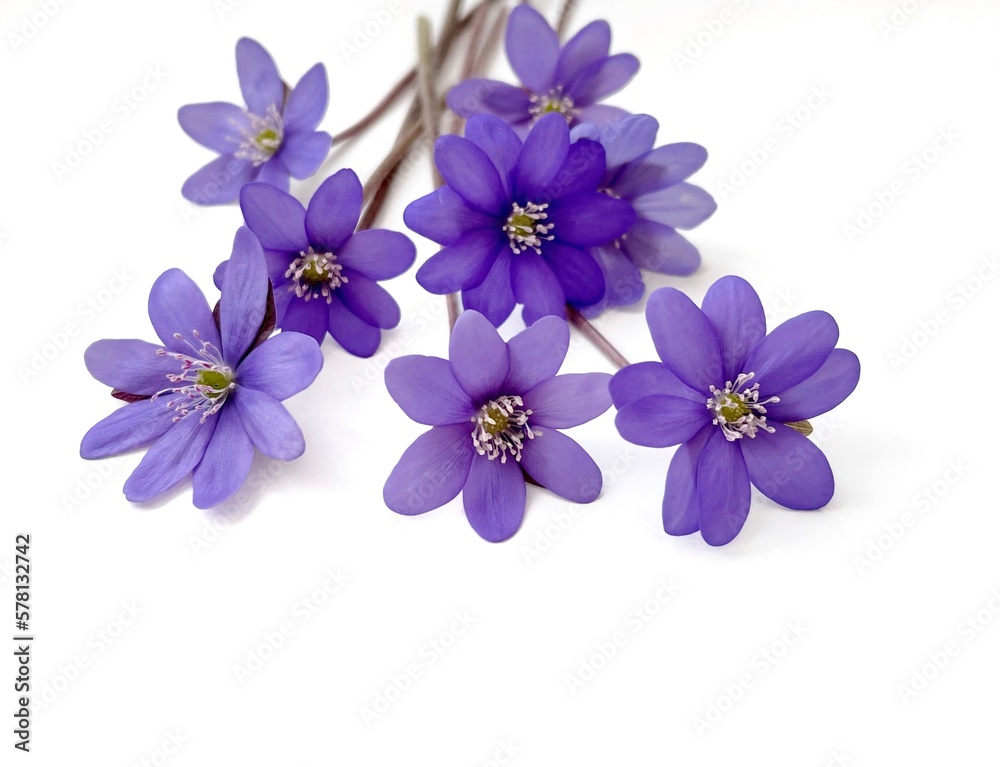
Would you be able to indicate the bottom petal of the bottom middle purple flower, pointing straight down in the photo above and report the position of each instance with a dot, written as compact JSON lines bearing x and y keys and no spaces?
{"x":494,"y":498}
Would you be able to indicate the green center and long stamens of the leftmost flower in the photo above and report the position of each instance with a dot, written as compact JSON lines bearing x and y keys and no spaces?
{"x":204,"y":382}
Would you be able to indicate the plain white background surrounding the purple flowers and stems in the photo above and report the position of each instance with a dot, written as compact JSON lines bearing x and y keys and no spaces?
{"x":211,"y":589}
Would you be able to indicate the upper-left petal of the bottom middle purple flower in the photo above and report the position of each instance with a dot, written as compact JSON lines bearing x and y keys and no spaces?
{"x":427,"y":391}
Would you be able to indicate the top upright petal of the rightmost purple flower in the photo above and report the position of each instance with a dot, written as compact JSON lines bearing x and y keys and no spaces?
{"x":737,"y":315}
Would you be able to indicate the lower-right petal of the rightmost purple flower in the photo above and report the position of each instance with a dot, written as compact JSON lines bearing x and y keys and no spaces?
{"x":788,"y":469}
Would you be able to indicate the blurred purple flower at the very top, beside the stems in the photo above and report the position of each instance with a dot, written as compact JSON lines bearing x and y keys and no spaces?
{"x":568,"y":81}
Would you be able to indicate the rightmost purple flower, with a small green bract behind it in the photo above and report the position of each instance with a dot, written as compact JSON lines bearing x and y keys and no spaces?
{"x":726,"y":392}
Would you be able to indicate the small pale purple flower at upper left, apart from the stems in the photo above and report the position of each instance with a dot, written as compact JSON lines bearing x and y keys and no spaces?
{"x":274,"y":137}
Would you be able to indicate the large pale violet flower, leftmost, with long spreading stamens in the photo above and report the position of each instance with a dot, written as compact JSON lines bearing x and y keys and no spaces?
{"x":211,"y":393}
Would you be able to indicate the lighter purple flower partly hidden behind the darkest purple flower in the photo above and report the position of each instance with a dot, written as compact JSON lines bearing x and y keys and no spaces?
{"x":654,"y":182}
